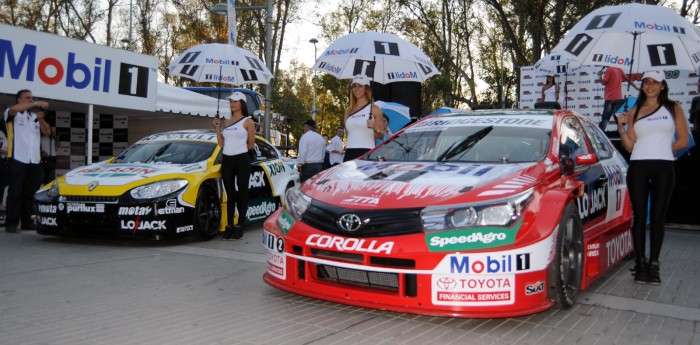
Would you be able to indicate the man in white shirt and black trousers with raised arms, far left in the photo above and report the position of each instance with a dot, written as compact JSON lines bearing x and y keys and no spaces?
{"x":25,"y":124}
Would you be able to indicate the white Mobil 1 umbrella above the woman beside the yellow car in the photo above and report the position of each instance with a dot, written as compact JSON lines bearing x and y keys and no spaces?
{"x":220,"y":63}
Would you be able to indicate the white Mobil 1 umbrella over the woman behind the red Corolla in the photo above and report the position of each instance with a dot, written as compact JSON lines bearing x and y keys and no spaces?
{"x":383,"y":57}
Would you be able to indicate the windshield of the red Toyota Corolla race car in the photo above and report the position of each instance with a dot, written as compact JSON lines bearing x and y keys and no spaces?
{"x":436,"y":141}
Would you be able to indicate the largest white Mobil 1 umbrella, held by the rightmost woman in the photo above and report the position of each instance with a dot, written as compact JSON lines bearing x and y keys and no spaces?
{"x":633,"y":35}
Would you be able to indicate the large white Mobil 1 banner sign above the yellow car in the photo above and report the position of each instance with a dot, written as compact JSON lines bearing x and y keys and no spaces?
{"x":66,"y":69}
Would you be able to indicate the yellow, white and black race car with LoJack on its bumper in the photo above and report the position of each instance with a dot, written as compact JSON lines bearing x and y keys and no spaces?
{"x":164,"y":185}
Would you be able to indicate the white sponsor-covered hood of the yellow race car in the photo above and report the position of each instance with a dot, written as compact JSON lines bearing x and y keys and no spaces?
{"x":125,"y":173}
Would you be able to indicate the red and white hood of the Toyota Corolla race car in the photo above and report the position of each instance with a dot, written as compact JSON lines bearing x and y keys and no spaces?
{"x":367,"y":184}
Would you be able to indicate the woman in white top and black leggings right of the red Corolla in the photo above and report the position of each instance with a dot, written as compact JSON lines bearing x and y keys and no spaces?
{"x":651,"y":125}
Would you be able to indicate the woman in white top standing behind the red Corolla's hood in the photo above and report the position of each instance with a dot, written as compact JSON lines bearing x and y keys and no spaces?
{"x":360,"y":124}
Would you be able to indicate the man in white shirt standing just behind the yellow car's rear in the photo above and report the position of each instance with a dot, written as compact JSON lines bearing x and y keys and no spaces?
{"x":311,"y":149}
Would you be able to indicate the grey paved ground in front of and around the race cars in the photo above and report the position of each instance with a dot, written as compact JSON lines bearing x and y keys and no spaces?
{"x":87,"y":291}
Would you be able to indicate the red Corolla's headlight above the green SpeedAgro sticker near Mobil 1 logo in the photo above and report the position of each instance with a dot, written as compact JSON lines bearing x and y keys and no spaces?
{"x":502,"y":212}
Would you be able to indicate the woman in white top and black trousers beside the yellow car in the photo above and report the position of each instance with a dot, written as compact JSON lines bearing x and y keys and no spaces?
{"x":236,"y":136}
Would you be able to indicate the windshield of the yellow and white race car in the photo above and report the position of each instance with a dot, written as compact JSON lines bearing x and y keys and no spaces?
{"x":173,"y":152}
